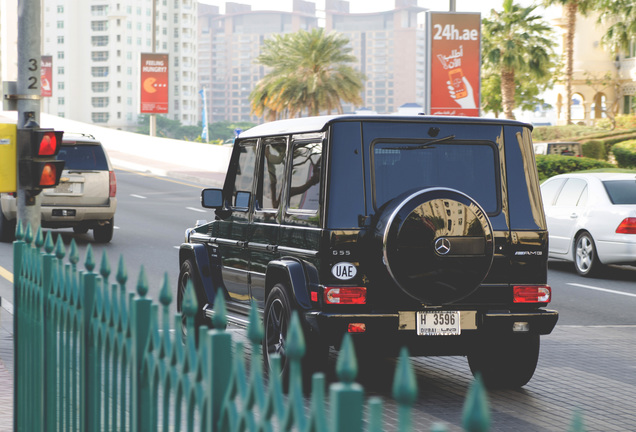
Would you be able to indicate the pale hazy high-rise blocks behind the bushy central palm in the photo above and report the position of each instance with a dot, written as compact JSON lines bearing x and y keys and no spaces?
{"x":390,"y":48}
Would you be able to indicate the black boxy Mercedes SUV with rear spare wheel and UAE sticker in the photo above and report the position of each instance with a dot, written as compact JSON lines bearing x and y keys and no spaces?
{"x":421,"y":231}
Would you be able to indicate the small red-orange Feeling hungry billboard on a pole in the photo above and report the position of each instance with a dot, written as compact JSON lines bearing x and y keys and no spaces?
{"x":154,"y":83}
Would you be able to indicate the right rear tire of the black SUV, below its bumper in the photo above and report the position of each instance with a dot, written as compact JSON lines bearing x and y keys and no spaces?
{"x":505,"y":361}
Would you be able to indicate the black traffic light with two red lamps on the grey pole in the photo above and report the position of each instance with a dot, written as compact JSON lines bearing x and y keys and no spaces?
{"x":38,"y":167}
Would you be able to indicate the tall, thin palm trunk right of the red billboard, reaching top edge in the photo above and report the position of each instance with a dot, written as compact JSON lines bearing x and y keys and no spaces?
{"x":571,"y":8}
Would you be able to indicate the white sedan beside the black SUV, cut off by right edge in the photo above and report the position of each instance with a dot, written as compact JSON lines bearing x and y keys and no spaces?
{"x":591,"y":219}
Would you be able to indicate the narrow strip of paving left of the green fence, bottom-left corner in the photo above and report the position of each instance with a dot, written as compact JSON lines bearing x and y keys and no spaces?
{"x":6,"y":366}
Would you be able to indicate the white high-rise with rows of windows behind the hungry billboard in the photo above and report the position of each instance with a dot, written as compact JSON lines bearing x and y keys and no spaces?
{"x":96,"y":46}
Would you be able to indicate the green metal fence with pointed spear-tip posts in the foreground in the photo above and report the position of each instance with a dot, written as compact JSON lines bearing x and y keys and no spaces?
{"x":91,"y":356}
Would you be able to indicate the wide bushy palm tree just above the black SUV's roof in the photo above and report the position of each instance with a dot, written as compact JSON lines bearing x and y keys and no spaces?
{"x":310,"y":72}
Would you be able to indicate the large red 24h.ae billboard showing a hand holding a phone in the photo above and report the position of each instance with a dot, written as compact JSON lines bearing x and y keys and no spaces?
{"x":454,"y":63}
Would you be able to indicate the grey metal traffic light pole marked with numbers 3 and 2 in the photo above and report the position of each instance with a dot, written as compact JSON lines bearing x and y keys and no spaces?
{"x":28,"y":98}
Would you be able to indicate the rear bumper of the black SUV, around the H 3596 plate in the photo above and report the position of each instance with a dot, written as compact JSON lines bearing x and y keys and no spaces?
{"x":393,"y":330}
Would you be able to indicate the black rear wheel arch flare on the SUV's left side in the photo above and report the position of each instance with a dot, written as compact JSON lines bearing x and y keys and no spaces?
{"x":300,"y":276}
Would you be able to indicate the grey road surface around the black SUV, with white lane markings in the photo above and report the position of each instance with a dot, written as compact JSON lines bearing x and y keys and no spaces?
{"x":586,"y":364}
